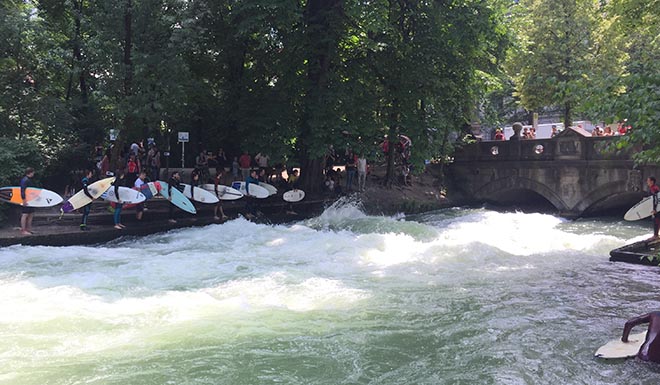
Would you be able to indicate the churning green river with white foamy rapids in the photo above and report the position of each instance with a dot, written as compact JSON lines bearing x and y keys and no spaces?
{"x":456,"y":296}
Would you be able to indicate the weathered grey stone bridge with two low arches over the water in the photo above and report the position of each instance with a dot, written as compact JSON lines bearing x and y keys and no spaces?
{"x":577,"y":174}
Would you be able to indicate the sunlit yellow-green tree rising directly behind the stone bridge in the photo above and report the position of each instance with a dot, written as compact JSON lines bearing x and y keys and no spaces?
{"x":558,"y":54}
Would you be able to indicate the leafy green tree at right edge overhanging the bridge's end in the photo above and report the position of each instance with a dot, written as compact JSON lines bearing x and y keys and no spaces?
{"x":633,"y":93}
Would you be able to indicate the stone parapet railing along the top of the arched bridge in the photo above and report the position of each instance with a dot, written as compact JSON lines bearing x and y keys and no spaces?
{"x":559,"y":148}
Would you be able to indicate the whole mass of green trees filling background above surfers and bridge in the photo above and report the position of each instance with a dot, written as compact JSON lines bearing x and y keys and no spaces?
{"x":289,"y":78}
